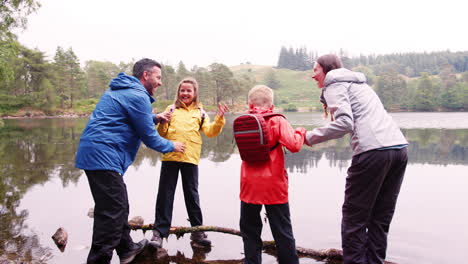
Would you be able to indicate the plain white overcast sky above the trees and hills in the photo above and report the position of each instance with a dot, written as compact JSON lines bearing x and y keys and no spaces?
{"x":200,"y":32}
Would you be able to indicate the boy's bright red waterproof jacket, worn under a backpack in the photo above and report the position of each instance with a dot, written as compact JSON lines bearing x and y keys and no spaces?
{"x":267,"y":182}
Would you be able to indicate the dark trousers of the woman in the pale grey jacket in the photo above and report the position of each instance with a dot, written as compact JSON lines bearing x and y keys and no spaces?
{"x":372,"y":187}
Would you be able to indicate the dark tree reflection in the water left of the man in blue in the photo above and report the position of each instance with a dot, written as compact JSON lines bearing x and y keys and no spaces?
{"x":30,"y":152}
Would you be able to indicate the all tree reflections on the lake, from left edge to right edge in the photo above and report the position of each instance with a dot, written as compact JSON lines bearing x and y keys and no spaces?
{"x":34,"y":151}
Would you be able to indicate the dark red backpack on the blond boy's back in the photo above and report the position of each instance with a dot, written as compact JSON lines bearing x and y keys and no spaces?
{"x":251,"y":135}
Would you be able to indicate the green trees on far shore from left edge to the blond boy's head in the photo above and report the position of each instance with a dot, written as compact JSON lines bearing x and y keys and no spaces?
{"x":61,"y":83}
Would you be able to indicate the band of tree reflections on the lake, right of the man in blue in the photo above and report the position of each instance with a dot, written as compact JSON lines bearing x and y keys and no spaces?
{"x":427,"y":146}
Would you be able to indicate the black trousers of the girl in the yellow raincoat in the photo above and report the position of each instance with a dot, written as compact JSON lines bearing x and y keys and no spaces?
{"x":165,"y":200}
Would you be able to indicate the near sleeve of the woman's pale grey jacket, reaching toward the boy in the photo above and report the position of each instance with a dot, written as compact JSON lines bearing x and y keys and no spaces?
{"x":340,"y":107}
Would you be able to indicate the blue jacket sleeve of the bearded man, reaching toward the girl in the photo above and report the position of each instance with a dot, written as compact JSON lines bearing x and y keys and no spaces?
{"x":139,"y":111}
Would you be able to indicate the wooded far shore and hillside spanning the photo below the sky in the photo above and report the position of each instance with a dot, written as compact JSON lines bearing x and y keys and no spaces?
{"x":436,"y":81}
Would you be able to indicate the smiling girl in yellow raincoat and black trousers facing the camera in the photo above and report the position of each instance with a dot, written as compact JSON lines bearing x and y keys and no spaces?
{"x":187,"y":119}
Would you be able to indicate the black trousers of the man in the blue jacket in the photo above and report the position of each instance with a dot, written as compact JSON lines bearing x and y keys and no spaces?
{"x":110,"y":230}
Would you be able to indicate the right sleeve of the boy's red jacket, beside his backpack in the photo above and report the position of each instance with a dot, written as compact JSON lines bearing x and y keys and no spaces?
{"x":292,"y":139}
